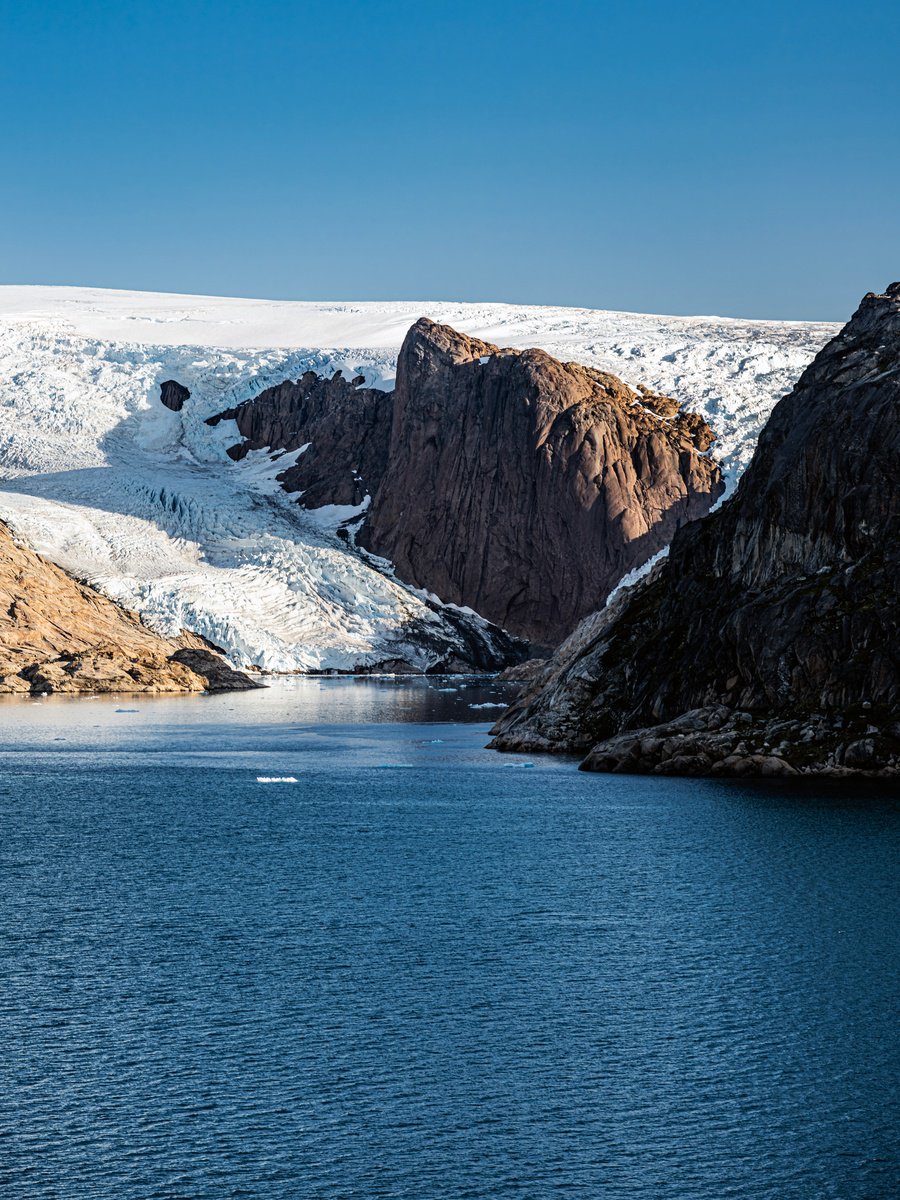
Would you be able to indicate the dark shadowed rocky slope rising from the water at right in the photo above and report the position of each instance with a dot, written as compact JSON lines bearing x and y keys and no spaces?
{"x":776,"y":622}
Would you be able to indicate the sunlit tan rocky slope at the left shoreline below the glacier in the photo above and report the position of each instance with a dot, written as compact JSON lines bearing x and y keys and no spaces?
{"x":59,"y":635}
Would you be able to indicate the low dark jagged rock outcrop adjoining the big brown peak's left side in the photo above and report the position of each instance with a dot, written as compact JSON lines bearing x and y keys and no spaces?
{"x":341,"y":428}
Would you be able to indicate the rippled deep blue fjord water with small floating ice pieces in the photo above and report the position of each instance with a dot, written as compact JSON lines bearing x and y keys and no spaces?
{"x":425,"y":970}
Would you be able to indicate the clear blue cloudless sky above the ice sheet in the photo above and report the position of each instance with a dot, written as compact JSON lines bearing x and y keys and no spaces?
{"x":735,"y":158}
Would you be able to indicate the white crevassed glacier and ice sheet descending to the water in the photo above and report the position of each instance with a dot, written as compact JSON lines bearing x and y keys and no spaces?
{"x":98,"y":476}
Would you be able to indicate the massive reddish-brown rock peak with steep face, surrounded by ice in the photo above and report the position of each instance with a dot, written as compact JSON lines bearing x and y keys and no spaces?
{"x":525,"y":488}
